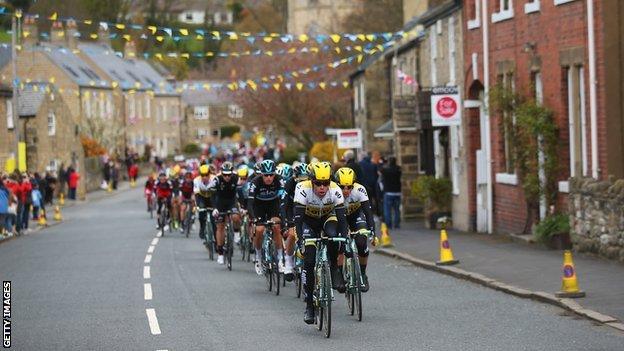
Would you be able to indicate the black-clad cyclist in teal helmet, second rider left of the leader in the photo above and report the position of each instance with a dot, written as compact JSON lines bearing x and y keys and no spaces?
{"x":264,"y":205}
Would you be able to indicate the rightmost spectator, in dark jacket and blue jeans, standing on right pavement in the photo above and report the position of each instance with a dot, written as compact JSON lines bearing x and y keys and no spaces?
{"x":391,"y":182}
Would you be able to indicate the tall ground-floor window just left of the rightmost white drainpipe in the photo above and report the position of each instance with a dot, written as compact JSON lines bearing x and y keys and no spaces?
{"x":575,"y":102}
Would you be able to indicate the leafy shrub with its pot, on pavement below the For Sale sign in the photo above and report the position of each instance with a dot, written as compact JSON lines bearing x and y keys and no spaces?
{"x":435,"y":195}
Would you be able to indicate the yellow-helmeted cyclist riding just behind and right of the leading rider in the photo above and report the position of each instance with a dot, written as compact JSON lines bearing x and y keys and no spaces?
{"x":359,"y":216}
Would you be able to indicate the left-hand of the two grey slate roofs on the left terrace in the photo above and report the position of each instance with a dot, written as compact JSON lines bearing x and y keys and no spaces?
{"x":76,"y":68}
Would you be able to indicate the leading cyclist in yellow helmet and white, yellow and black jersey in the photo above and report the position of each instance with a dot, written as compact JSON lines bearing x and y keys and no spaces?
{"x":319,"y":207}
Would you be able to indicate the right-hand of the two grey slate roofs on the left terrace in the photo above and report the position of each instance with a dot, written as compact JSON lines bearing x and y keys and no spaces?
{"x":125,"y":71}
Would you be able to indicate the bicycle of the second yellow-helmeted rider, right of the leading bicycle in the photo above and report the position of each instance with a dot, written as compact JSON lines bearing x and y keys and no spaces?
{"x":353,"y":274}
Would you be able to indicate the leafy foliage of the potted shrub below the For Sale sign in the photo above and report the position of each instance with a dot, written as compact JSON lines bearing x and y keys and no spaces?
{"x":435,"y":193}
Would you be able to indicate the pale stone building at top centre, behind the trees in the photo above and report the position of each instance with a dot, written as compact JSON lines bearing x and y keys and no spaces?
{"x":319,"y":16}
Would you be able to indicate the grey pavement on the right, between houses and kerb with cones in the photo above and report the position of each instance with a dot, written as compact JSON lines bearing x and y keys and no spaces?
{"x":527,"y":266}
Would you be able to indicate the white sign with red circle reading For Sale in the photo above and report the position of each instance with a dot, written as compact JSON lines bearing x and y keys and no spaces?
{"x":445,"y":106}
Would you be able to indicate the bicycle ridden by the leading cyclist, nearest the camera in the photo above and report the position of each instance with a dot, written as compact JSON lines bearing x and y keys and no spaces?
{"x":323,"y":294}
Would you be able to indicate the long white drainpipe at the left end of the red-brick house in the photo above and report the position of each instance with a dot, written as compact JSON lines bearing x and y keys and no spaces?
{"x":486,"y":115}
